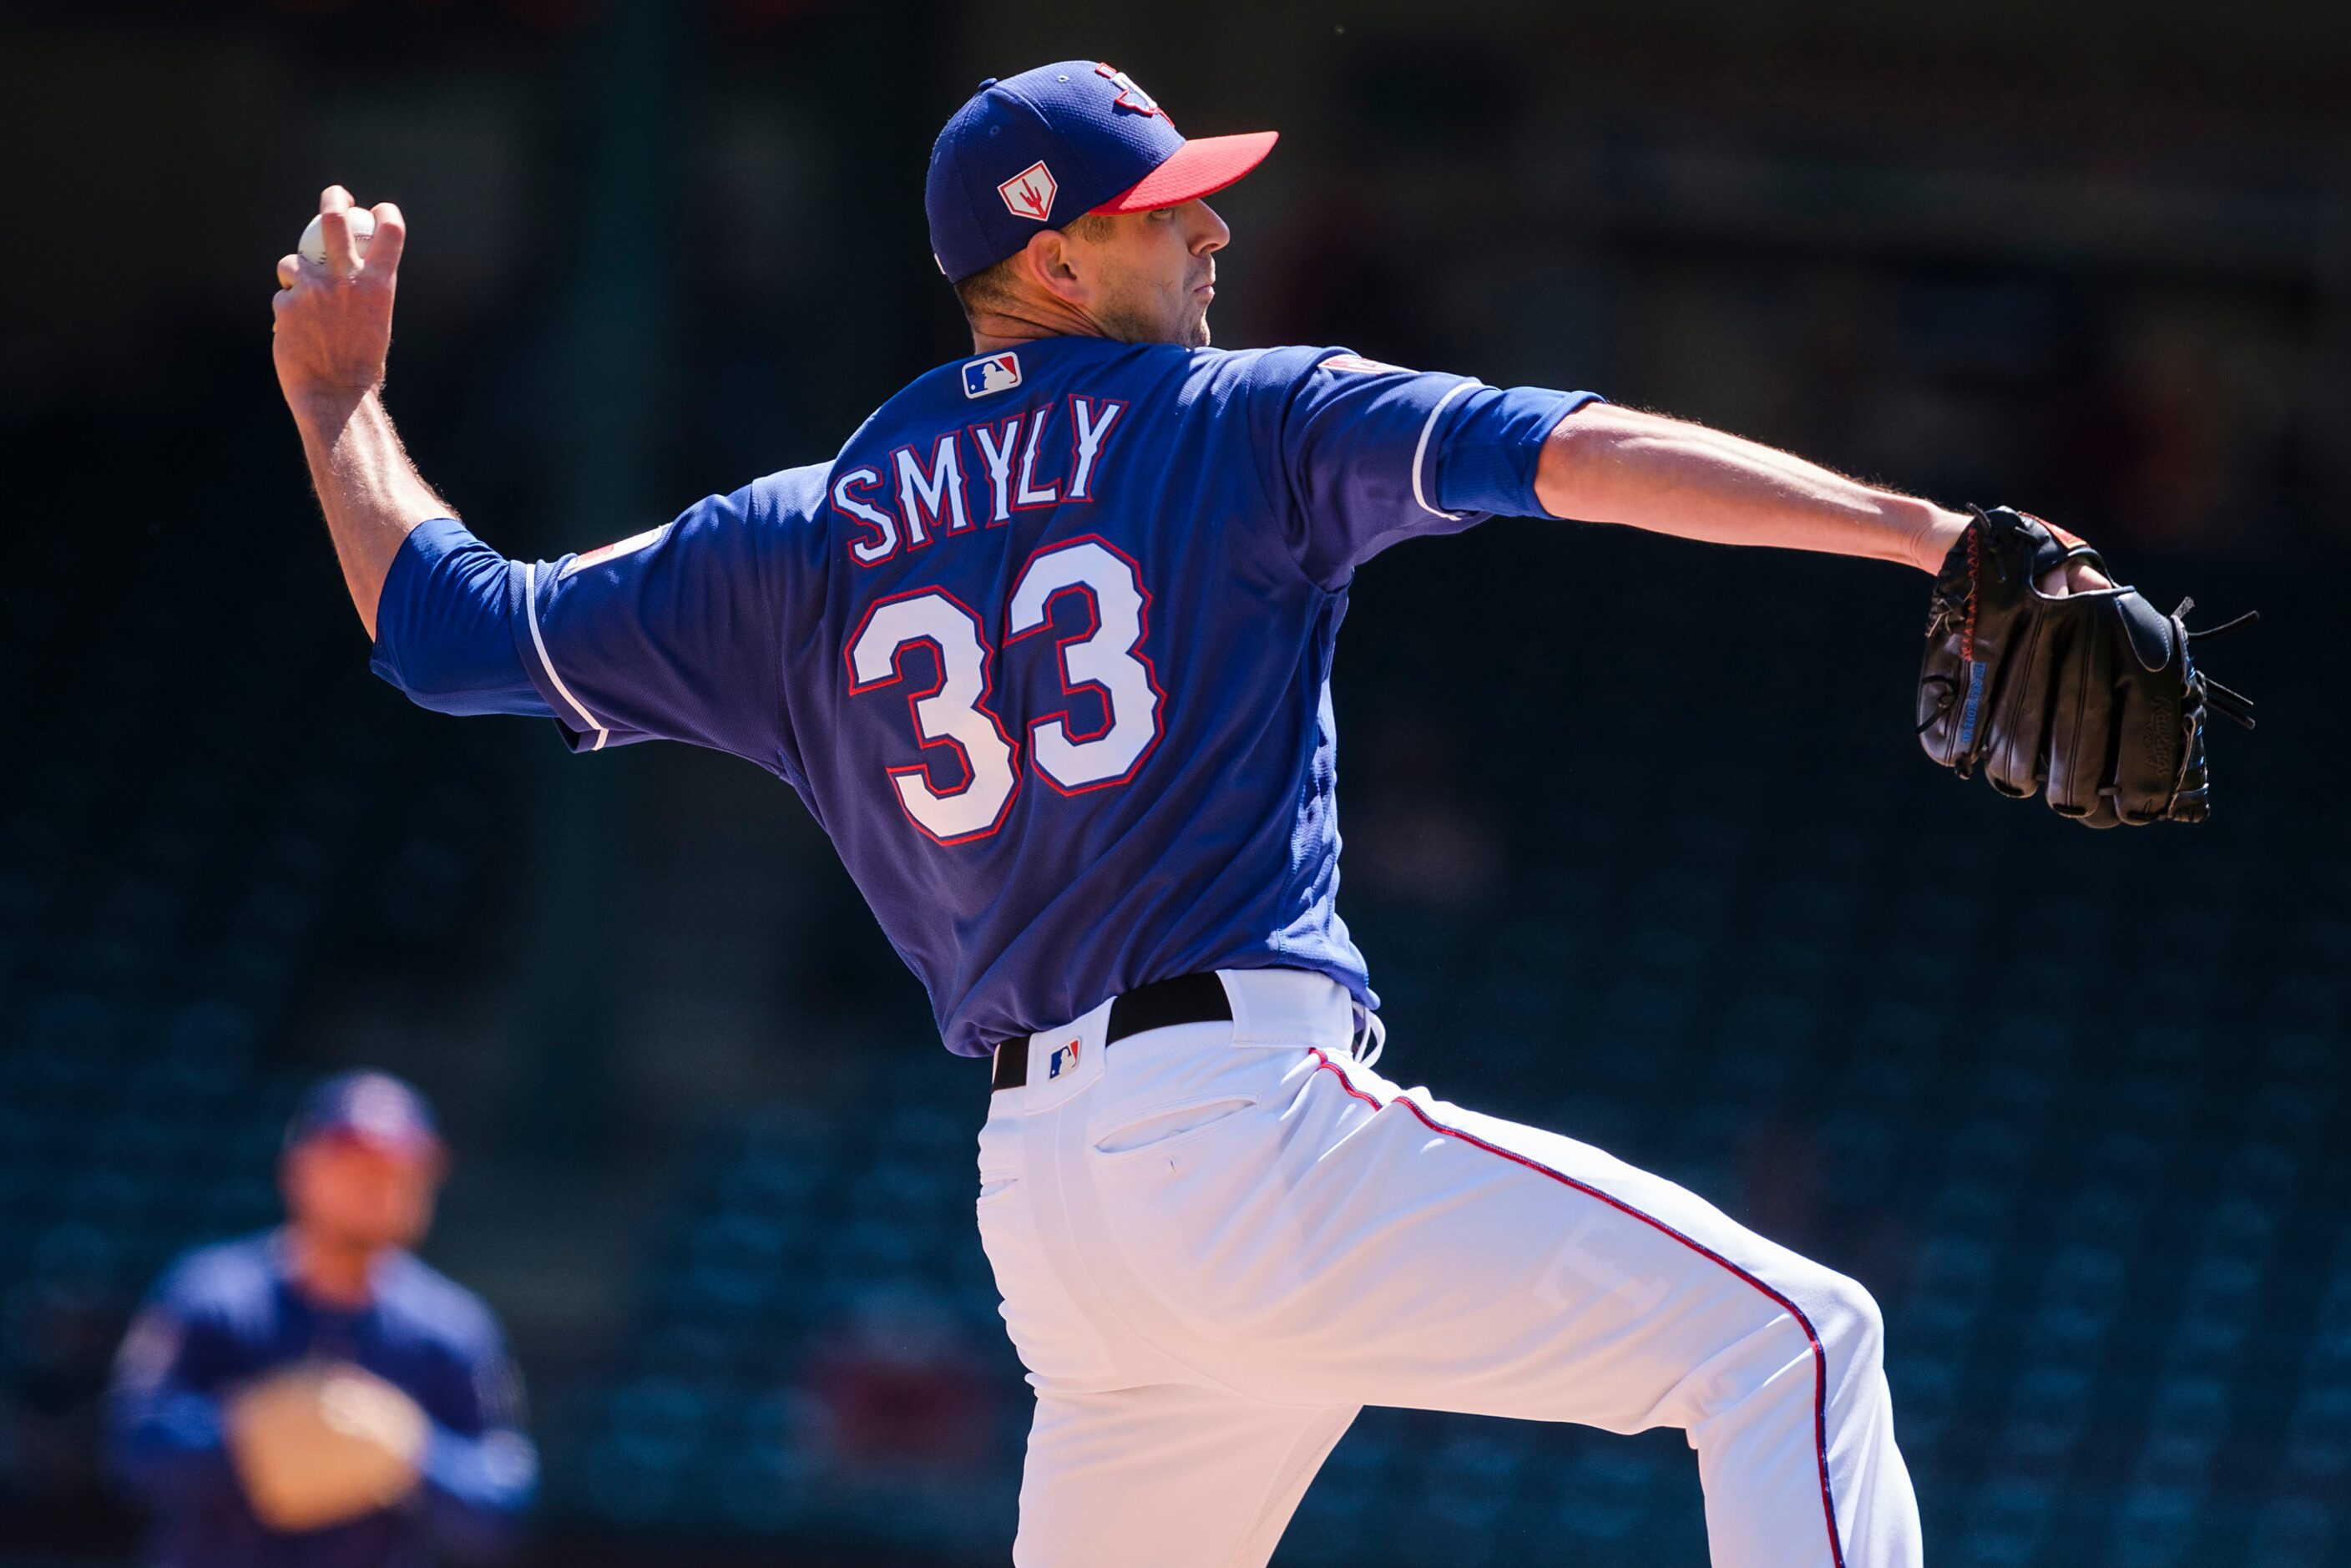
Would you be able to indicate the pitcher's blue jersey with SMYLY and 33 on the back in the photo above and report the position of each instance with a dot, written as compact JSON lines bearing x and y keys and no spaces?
{"x":1047,"y":648}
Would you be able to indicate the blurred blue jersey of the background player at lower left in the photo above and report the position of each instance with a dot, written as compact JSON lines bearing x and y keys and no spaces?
{"x":229,"y":1315}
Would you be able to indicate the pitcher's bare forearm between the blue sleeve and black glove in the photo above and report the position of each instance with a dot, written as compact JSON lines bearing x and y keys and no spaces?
{"x":1609,"y":464}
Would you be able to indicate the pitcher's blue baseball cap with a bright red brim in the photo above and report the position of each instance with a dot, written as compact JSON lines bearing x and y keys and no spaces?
{"x":1052,"y":145}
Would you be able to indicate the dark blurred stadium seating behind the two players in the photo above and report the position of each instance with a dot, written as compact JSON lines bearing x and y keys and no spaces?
{"x":1640,"y":843}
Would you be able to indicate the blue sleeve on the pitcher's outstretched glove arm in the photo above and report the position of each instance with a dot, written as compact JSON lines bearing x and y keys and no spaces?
{"x":1372,"y":455}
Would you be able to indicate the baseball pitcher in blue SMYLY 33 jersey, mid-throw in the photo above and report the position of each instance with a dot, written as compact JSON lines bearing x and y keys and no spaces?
{"x":1047,"y":650}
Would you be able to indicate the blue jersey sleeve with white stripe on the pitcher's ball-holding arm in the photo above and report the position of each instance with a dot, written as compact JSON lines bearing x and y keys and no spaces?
{"x":676,"y":634}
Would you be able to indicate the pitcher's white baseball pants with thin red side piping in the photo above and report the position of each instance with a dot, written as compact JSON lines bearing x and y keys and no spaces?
{"x":1219,"y":1242}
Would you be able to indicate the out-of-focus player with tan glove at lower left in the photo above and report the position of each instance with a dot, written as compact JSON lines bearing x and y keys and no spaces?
{"x":316,"y":1393}
